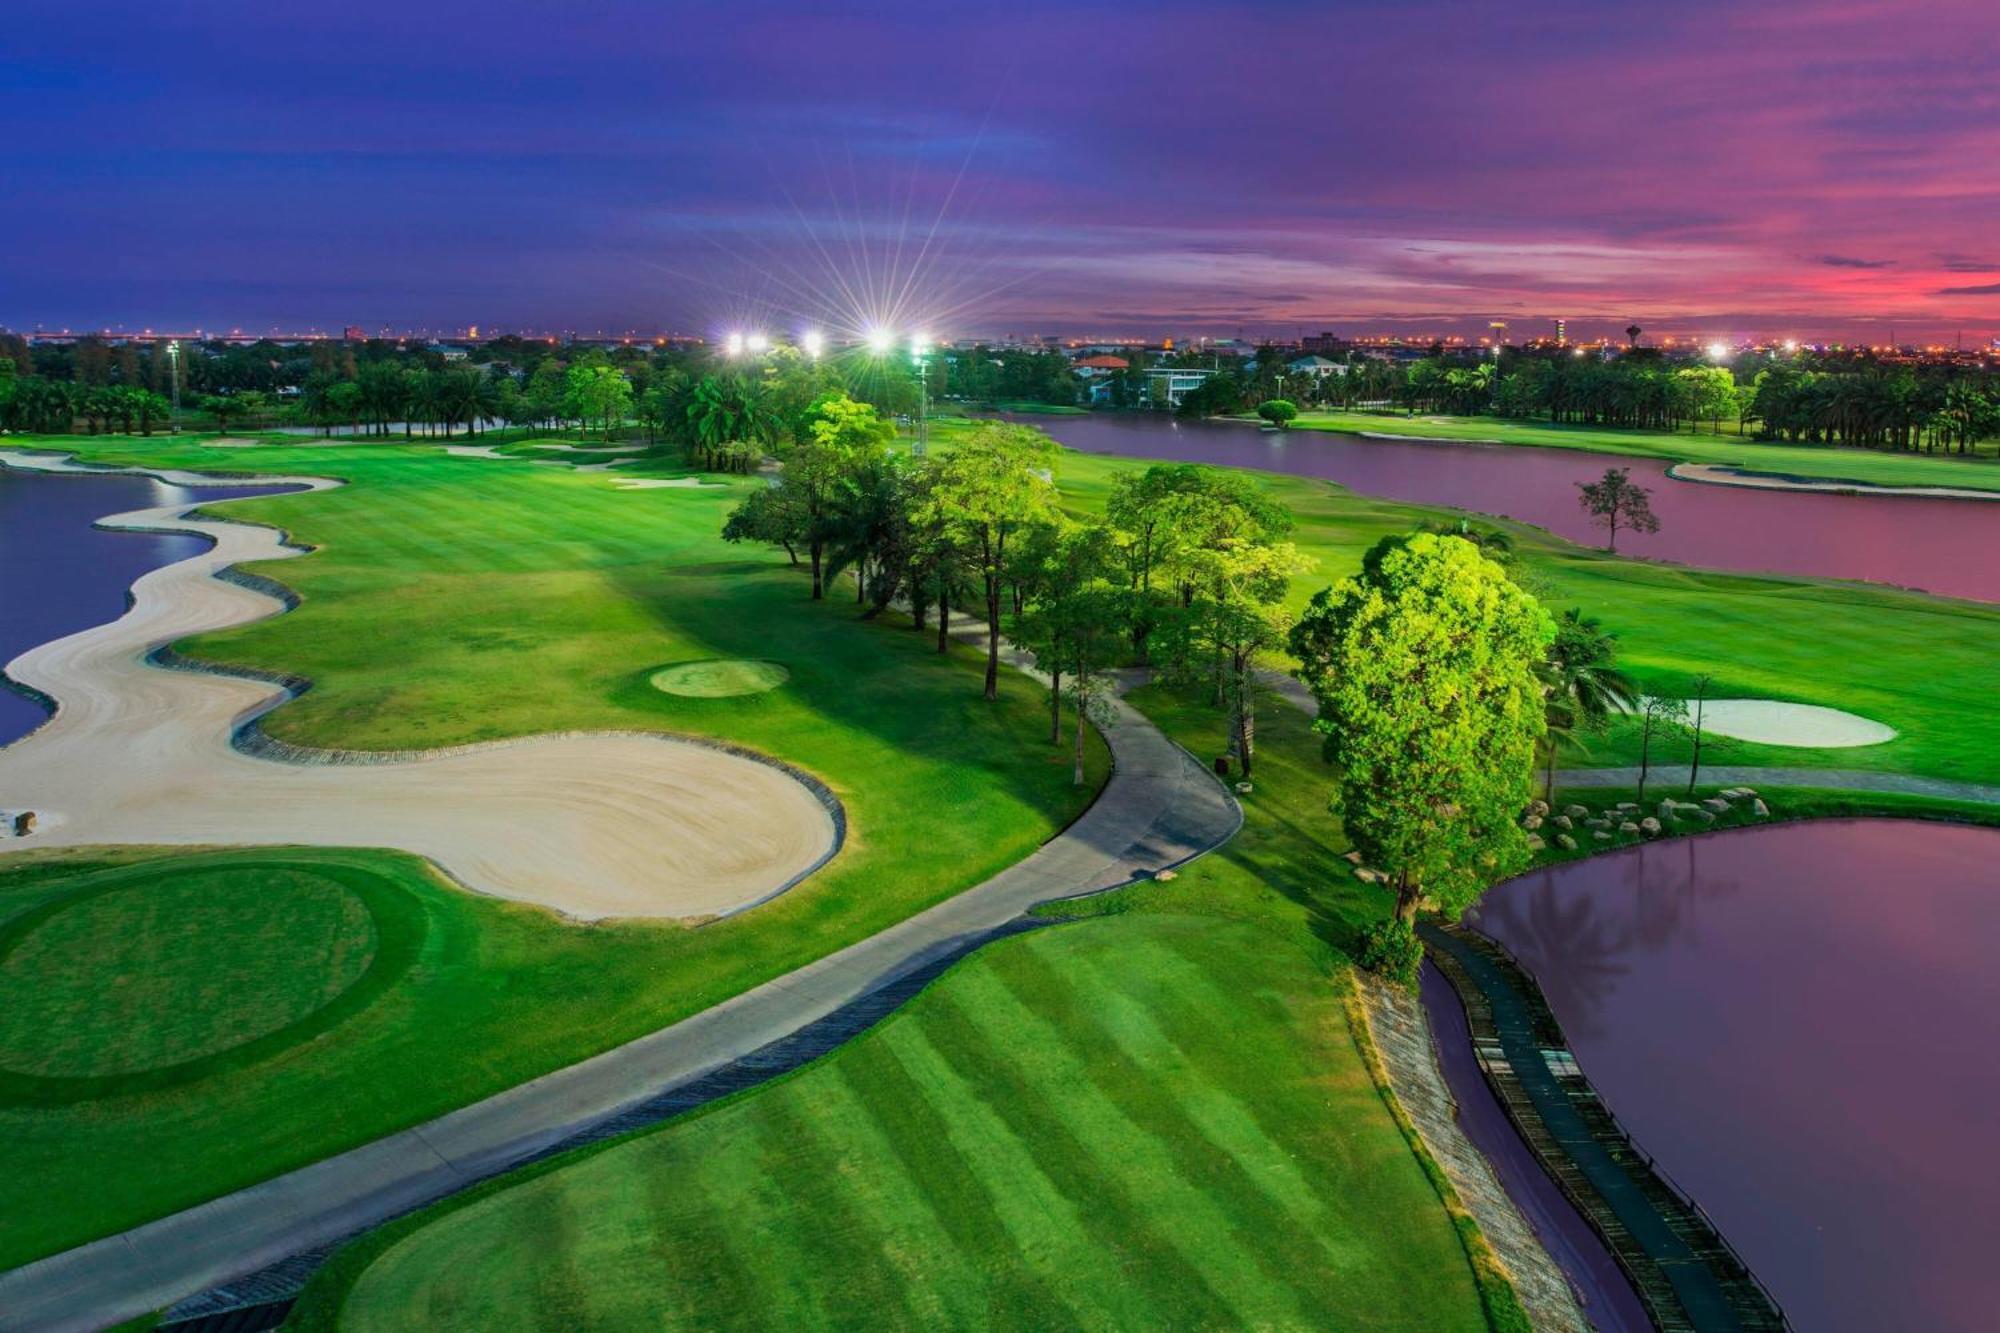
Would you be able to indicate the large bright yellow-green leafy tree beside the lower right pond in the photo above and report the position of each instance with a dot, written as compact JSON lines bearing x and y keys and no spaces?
{"x":1425,"y":668}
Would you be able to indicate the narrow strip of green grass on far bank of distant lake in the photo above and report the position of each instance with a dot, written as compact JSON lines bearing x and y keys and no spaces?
{"x":1855,"y":465}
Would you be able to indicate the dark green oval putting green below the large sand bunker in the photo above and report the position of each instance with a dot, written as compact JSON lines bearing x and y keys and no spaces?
{"x":147,"y":976}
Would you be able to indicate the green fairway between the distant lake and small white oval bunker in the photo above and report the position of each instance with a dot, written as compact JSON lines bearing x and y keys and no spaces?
{"x":1905,"y":659}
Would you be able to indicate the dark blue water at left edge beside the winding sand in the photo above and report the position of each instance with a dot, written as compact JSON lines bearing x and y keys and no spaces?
{"x":61,"y":575}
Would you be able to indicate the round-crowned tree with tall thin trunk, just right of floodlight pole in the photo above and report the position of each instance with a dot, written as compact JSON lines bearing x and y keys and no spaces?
{"x":987,"y":491}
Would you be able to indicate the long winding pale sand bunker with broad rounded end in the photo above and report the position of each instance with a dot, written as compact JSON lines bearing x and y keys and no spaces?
{"x":593,"y":826}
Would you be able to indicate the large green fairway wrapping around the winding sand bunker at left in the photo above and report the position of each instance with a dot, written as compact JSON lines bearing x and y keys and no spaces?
{"x":469,"y":599}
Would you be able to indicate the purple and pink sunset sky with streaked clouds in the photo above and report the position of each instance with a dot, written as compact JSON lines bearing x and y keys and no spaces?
{"x":1821,"y":167}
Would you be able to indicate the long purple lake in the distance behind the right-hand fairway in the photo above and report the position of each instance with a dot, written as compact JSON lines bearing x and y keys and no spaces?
{"x":1935,"y":545}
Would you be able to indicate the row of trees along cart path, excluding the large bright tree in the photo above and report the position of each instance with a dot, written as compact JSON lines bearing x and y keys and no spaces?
{"x":1185,"y":571}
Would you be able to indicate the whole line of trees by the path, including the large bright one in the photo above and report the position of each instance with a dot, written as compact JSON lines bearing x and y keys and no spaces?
{"x":1443,"y":686}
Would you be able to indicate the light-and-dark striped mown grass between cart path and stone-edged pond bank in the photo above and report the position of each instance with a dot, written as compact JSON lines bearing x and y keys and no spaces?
{"x":1125,"y":1124}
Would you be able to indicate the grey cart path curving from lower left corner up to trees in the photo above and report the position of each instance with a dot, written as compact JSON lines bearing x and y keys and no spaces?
{"x":1159,"y":810}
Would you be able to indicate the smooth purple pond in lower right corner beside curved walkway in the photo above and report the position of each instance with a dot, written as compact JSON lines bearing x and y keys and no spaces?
{"x":1799,"y":1024}
